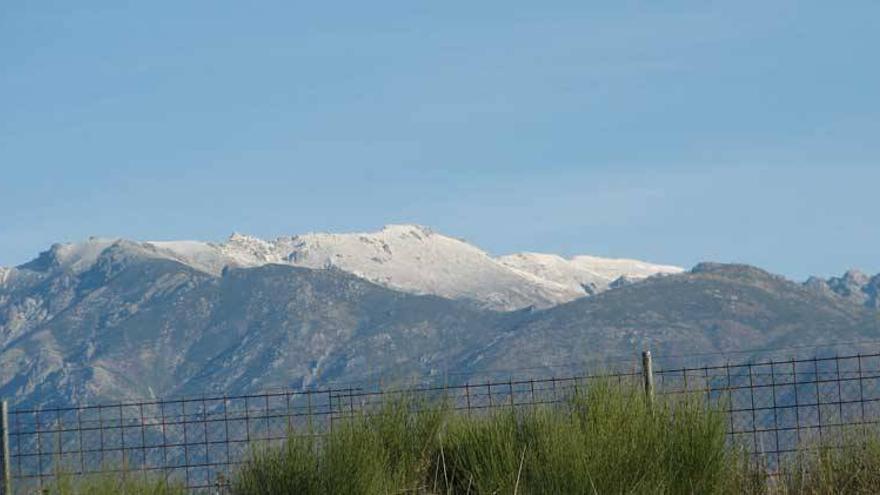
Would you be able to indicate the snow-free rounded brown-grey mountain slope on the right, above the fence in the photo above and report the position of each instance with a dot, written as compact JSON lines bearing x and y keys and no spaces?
{"x":714,"y":308}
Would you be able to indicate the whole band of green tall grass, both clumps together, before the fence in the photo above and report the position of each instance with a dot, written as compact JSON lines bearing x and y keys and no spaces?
{"x":604,"y":440}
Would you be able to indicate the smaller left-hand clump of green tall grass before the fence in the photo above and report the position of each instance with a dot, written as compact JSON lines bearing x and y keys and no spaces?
{"x":388,"y":451}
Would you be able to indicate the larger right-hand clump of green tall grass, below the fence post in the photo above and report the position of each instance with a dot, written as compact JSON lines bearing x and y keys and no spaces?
{"x":607,"y":440}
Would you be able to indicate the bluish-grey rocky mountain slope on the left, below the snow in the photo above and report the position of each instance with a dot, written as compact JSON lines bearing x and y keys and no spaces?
{"x":135,"y":326}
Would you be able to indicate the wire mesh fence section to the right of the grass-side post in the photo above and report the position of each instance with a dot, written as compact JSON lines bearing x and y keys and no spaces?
{"x":776,"y":407}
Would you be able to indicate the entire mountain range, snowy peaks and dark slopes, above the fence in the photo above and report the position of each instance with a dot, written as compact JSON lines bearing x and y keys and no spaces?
{"x":114,"y":319}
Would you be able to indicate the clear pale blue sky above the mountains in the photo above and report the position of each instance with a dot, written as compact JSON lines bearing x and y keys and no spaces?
{"x":732,"y":131}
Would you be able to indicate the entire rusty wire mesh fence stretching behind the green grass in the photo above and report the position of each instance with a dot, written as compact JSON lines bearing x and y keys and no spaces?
{"x":774,"y":407}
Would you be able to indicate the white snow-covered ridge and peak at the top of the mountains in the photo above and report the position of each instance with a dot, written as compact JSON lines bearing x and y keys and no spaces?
{"x":404,"y":257}
